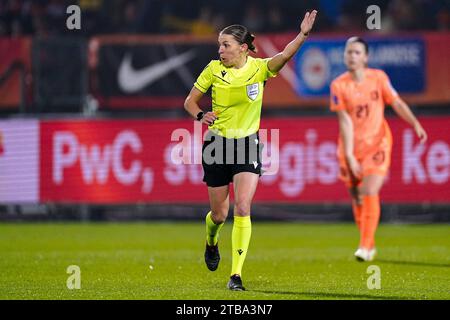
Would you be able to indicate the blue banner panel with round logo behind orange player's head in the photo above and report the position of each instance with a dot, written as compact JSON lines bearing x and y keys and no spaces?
{"x":321,"y":61}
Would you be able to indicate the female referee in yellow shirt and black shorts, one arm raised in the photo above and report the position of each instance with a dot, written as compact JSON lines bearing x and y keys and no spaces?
{"x":231,"y":151}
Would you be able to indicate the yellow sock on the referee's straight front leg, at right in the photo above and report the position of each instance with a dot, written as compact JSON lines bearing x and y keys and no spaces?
{"x":240,"y":239}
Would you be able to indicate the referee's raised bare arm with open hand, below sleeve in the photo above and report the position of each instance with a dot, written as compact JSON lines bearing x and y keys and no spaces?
{"x":279,"y":60}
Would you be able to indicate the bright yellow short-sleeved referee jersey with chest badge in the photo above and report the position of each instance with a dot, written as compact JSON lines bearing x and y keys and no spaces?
{"x":236,"y":95}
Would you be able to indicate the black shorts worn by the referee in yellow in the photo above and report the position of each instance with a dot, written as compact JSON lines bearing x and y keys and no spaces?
{"x":222,"y":158}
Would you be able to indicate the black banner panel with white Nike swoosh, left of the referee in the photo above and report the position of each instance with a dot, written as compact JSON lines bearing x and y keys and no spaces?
{"x":143,"y":72}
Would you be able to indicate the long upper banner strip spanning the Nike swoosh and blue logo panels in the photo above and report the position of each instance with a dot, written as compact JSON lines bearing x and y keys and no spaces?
{"x":138,"y":72}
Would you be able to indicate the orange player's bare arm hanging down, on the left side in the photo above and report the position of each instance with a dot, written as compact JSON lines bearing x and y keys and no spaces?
{"x":347,"y":133}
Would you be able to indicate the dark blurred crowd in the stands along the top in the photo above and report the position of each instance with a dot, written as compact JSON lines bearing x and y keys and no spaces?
{"x":204,"y":17}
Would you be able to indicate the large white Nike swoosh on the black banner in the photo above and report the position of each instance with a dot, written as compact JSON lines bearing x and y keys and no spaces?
{"x":131,"y":80}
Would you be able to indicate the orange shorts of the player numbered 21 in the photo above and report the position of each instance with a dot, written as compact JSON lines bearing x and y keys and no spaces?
{"x":376,"y":161}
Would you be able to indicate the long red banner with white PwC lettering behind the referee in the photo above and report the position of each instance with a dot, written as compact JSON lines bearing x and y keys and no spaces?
{"x":132,"y":161}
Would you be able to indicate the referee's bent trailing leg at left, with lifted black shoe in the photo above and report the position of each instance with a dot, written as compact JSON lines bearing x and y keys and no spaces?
{"x":215,"y":219}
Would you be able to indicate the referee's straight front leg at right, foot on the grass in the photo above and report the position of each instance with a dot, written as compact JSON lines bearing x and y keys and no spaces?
{"x":245,"y":184}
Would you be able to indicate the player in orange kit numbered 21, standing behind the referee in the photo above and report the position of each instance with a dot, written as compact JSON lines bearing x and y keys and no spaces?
{"x":365,"y":141}
